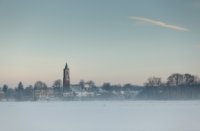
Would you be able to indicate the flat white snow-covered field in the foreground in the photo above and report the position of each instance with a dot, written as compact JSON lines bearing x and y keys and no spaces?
{"x":100,"y":116}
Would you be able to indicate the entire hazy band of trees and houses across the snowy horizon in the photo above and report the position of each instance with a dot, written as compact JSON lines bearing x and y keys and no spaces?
{"x":177,"y":86}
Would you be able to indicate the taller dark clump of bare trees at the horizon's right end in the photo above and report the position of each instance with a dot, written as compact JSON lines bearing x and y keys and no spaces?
{"x":177,"y":86}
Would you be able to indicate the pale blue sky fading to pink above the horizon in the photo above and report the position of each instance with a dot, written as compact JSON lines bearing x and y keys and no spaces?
{"x":116,"y":41}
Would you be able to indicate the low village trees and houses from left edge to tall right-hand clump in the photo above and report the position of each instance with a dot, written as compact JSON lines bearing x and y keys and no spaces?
{"x":83,"y":90}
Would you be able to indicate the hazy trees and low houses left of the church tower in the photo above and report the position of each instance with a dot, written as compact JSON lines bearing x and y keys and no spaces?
{"x":21,"y":93}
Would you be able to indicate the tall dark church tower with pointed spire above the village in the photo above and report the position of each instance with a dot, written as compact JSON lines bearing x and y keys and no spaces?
{"x":66,"y":79}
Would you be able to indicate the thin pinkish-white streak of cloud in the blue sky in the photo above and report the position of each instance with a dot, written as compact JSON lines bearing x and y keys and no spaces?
{"x":158,"y":23}
